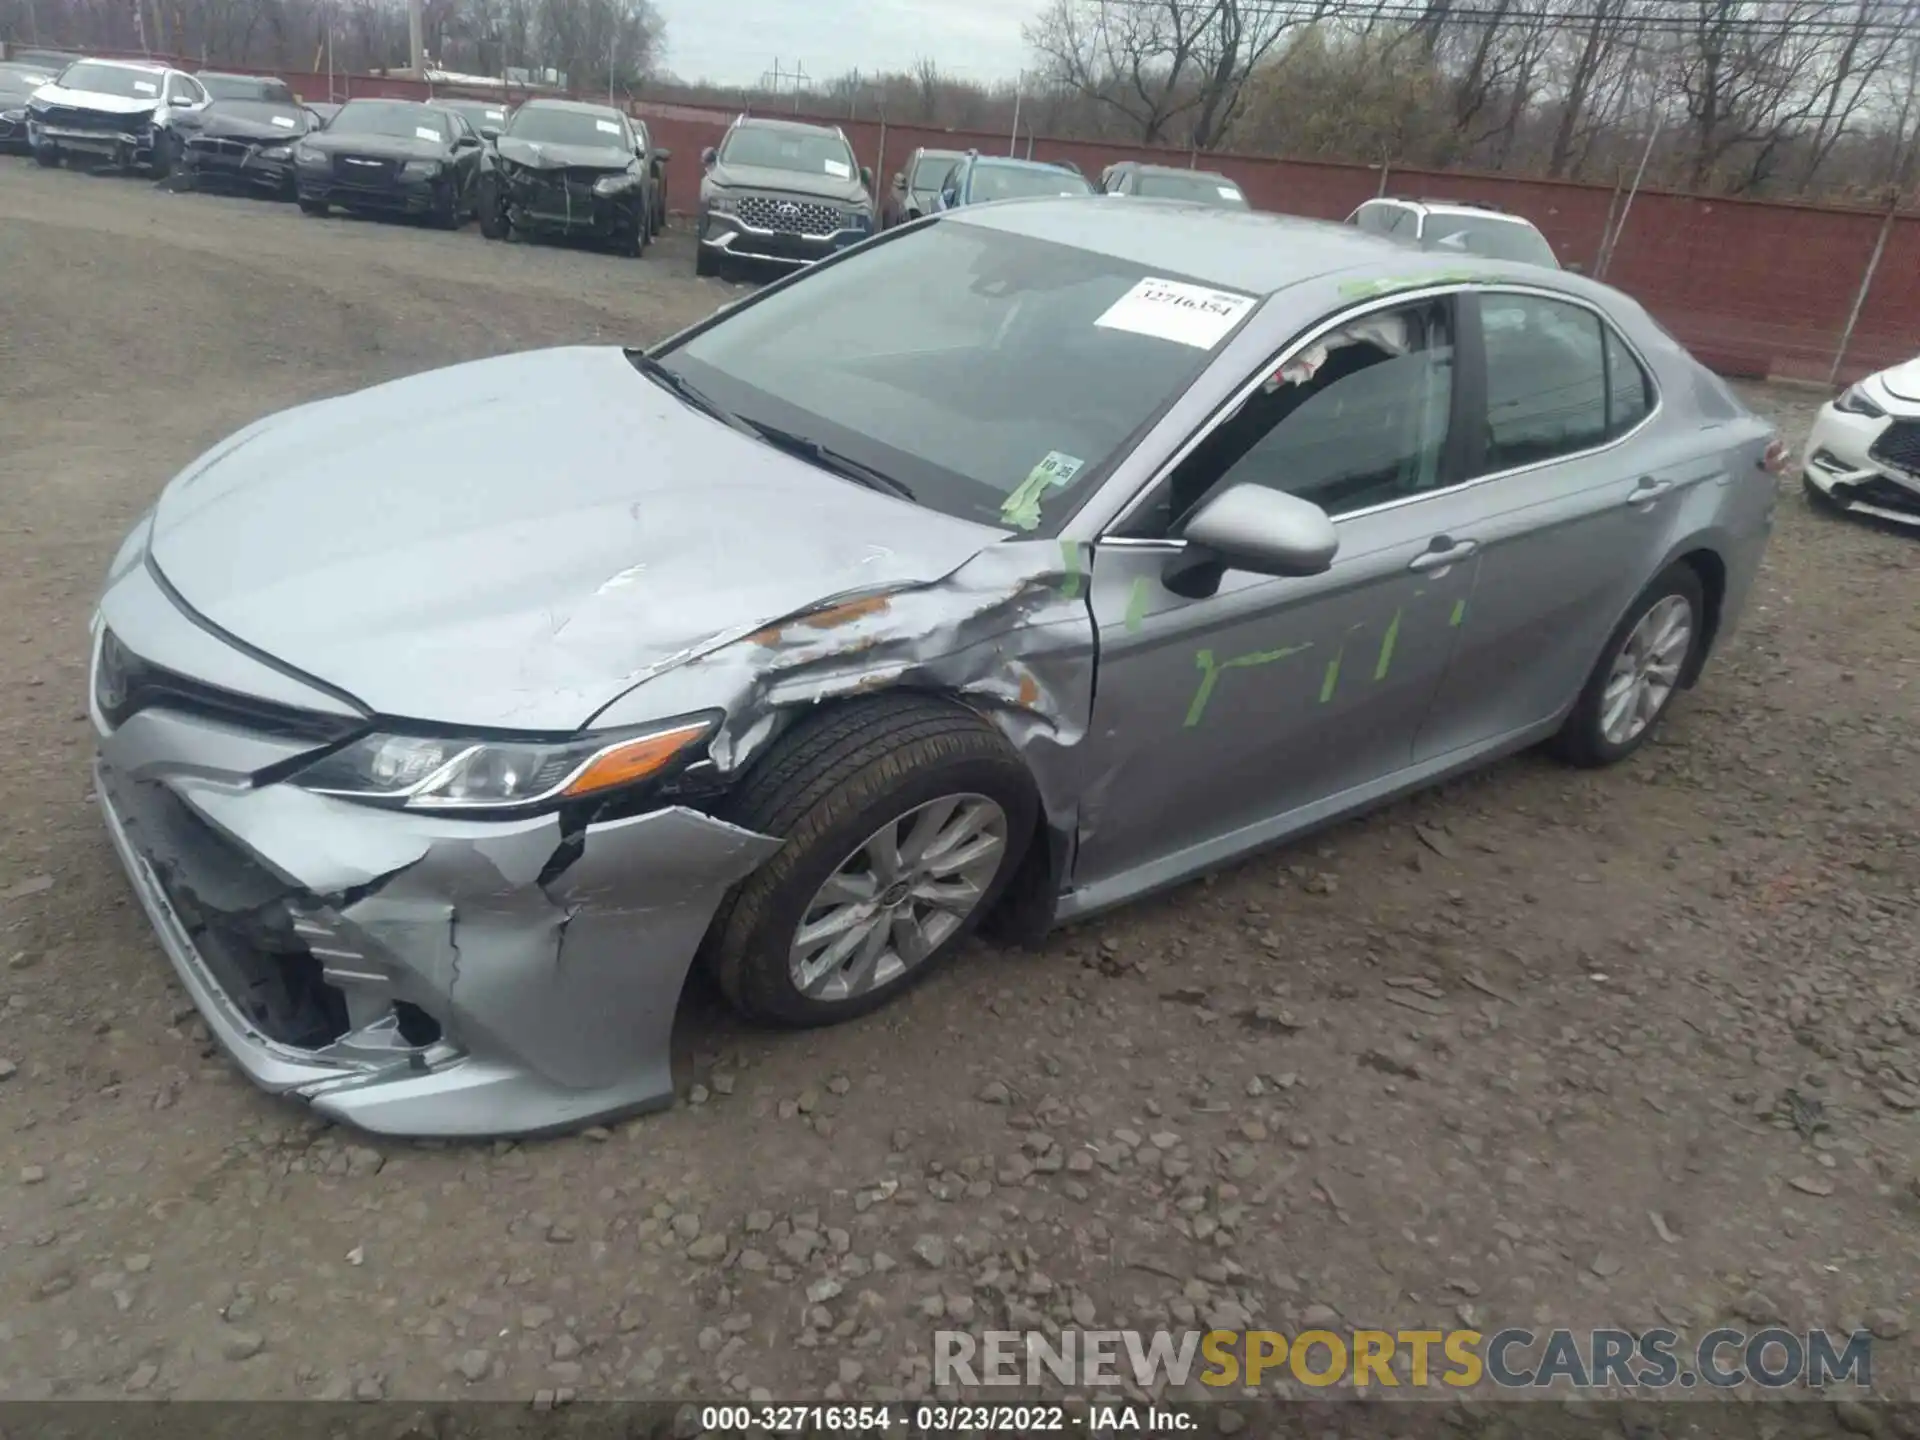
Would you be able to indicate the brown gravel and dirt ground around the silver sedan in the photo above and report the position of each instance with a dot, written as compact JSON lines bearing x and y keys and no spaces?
{"x":1543,"y":1047}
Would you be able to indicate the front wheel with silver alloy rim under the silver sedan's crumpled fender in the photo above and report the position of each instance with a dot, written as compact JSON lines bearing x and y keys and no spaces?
{"x":903,"y":821}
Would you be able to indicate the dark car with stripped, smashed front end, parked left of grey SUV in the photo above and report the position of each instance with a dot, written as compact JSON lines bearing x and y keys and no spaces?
{"x":569,"y":170}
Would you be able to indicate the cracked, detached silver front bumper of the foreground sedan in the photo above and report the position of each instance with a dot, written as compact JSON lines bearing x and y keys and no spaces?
{"x":412,"y":974}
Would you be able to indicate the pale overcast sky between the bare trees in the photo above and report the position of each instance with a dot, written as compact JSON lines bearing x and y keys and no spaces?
{"x":736,"y":41}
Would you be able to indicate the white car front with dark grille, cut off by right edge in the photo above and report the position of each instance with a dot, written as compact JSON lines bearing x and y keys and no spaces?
{"x":1863,"y":454}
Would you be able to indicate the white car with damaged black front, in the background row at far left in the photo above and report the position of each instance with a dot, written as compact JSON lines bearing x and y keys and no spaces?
{"x":114,"y":112}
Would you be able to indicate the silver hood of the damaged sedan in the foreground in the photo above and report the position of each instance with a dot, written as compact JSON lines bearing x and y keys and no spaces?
{"x":517,"y":542}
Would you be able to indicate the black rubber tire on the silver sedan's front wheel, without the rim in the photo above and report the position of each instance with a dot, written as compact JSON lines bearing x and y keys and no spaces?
{"x":828,"y":788}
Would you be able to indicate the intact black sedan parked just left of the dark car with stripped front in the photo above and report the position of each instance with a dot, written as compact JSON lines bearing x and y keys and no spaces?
{"x":391,"y":158}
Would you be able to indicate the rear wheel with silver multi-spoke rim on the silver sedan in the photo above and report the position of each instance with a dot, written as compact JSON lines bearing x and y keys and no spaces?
{"x":1639,"y":673}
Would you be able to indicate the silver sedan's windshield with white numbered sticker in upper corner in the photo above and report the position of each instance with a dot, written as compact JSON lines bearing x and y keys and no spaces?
{"x":1011,"y":370}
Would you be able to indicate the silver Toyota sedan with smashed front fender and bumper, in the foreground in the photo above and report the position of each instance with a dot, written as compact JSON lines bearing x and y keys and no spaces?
{"x":444,"y":727}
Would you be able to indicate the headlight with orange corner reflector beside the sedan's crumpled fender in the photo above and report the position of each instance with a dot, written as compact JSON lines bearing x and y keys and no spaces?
{"x":425,"y":773}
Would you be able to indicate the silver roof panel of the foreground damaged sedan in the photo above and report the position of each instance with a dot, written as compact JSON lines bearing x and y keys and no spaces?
{"x":1234,"y":249}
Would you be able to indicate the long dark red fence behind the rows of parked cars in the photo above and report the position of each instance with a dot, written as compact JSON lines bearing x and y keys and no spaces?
{"x":1752,"y":287}
